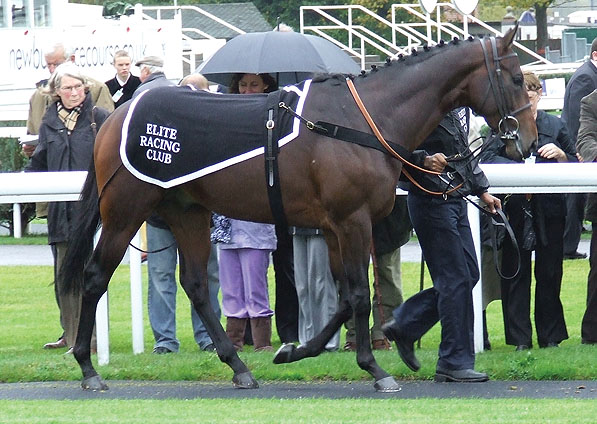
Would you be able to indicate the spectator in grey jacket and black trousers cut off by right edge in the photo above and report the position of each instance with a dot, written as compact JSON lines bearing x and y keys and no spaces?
{"x":587,"y":150}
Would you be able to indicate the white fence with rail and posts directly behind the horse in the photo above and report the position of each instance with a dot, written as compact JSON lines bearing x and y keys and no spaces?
{"x":538,"y":178}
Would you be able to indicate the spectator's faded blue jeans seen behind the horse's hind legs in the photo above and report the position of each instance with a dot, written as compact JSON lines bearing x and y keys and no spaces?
{"x":162,"y":289}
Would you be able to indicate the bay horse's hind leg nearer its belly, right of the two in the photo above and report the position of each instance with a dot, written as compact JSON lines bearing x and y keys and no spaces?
{"x":190,"y":225}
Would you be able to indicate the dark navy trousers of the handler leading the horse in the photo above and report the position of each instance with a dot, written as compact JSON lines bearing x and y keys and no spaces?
{"x":446,"y":241}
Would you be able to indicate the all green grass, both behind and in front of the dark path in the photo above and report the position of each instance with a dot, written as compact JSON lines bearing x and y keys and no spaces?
{"x":29,"y":318}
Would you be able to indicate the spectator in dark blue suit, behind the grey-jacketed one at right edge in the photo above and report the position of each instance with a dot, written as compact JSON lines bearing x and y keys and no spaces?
{"x":581,"y":84}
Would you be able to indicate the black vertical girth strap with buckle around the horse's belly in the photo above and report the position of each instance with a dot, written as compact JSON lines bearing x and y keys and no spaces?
{"x":272,"y":176}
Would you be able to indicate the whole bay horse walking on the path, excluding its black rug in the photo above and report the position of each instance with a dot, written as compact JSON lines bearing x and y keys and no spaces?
{"x":326,"y":183}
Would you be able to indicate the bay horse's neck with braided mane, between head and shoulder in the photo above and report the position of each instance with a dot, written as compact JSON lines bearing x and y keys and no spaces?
{"x":410,"y":101}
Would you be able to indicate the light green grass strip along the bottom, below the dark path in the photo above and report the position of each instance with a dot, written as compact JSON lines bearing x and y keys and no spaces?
{"x":263,"y":411}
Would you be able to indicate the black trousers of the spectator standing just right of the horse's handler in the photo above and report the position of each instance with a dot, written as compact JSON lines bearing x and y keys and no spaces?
{"x":516,"y":292}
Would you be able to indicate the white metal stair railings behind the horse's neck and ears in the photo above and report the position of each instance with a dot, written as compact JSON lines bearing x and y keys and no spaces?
{"x":357,"y":25}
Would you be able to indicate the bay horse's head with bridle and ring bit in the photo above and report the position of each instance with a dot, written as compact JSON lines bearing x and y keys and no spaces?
{"x":500,"y":96}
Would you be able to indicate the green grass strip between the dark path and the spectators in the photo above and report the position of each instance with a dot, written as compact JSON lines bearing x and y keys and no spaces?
{"x":29,"y":318}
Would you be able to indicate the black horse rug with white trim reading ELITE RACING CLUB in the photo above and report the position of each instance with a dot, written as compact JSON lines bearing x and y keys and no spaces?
{"x":172,"y":135}
